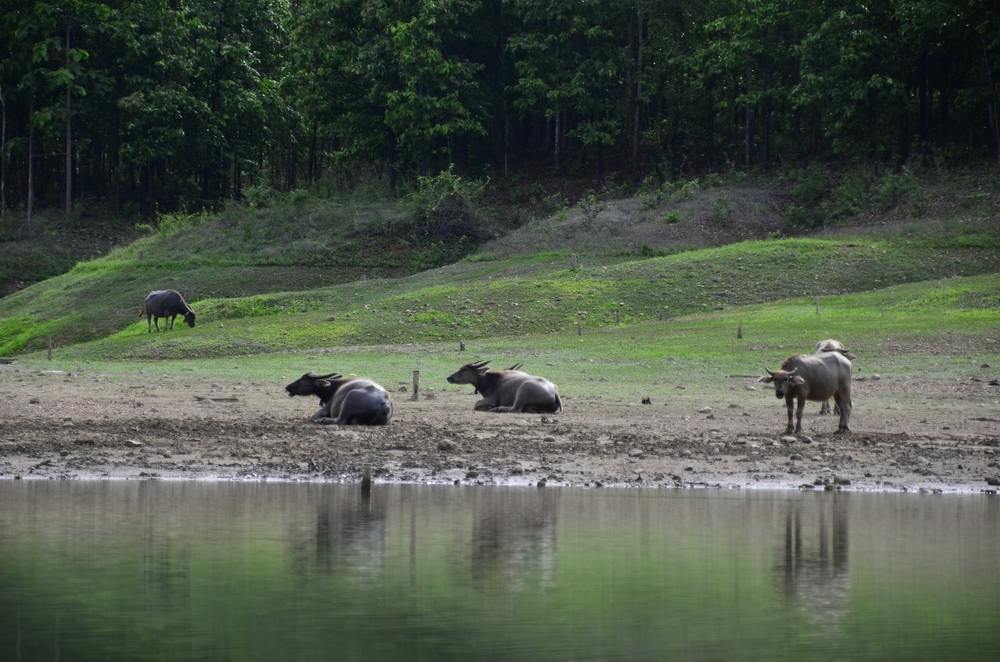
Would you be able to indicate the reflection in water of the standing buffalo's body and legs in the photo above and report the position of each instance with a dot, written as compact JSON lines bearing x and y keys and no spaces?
{"x":813,"y":573}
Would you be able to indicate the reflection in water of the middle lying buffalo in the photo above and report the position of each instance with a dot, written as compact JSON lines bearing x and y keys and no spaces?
{"x":513,"y":543}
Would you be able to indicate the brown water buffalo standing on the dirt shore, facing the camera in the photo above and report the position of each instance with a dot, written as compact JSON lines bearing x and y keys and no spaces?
{"x":814,"y":377}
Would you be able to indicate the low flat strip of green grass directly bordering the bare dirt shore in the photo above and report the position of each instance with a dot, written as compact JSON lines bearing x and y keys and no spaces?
{"x":939,"y":329}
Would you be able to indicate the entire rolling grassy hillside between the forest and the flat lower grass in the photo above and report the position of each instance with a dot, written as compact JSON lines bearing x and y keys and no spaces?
{"x":303,"y":275}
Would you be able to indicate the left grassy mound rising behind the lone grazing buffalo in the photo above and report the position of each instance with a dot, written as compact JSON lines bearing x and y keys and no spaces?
{"x":237,"y":253}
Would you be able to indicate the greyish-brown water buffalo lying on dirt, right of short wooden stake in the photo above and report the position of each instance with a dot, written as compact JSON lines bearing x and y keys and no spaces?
{"x":508,"y":390}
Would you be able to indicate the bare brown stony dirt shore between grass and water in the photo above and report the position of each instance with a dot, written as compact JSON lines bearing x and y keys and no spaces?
{"x":908,"y":435}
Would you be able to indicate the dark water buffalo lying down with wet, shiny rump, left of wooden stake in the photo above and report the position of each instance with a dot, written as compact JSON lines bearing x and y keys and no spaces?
{"x":344,"y":401}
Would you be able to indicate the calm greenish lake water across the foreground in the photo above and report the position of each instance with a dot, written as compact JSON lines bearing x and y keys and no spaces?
{"x":174,"y":570}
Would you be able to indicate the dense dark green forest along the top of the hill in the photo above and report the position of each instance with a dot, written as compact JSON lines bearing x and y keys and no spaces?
{"x":161,"y":105}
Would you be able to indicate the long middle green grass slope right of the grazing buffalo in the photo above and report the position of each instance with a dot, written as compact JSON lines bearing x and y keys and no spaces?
{"x":480,"y":299}
